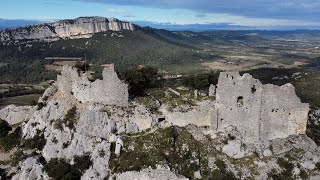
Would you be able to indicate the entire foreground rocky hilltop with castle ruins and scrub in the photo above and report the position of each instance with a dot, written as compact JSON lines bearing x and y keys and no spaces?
{"x":240,"y":129}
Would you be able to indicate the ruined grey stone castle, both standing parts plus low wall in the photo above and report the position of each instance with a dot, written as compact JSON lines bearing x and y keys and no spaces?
{"x":259,"y":112}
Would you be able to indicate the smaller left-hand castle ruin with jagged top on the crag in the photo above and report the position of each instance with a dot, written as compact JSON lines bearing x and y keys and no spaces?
{"x":109,"y":91}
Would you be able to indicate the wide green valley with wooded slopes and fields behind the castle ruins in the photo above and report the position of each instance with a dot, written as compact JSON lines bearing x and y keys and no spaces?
{"x":174,"y":53}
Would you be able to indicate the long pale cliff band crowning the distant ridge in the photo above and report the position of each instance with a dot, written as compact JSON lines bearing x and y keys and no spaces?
{"x":82,"y":27}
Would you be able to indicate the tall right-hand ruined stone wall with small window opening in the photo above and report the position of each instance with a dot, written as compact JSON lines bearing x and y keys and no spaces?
{"x":260,"y":112}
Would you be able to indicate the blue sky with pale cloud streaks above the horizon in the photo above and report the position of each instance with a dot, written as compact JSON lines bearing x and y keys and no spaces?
{"x":260,"y":14}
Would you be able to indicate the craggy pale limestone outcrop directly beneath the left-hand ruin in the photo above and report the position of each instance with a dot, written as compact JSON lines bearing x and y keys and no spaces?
{"x":95,"y":127}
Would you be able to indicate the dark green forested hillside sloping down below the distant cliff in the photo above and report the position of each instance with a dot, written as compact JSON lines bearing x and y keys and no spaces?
{"x":125,"y":49}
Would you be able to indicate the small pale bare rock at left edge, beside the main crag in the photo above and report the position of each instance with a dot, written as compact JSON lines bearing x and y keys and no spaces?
{"x":16,"y":114}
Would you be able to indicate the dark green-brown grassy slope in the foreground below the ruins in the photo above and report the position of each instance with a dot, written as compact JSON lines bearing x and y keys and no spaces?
{"x":173,"y":146}
